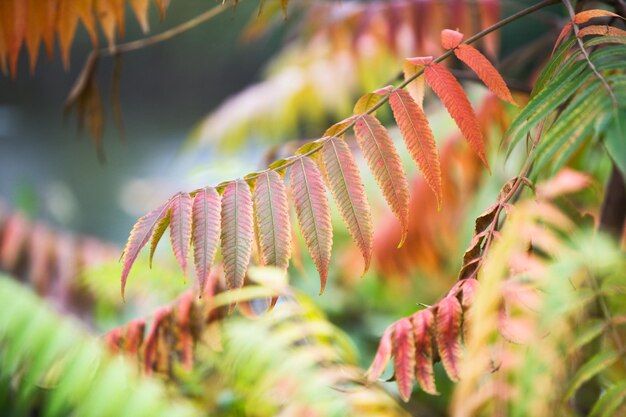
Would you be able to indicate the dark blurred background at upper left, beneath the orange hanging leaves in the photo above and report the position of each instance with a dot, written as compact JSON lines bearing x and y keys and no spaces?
{"x":52,"y":172}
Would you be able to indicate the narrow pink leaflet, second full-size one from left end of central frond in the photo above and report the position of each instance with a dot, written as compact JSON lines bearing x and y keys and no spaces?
{"x":180,"y":228}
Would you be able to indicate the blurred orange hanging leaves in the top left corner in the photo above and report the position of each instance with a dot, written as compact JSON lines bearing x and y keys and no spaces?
{"x":29,"y":23}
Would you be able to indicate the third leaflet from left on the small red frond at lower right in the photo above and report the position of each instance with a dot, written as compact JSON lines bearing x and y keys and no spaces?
{"x":423,"y":322}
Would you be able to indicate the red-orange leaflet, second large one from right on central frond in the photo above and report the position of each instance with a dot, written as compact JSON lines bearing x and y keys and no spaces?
{"x":453,"y":97}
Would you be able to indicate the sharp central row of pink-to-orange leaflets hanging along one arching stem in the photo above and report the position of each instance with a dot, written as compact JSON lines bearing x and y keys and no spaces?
{"x":256,"y":206}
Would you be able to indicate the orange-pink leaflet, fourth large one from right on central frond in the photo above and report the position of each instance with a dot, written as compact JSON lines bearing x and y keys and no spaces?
{"x":384,"y":162}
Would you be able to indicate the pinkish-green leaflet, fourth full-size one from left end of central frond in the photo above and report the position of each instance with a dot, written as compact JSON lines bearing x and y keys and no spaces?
{"x":237,"y":232}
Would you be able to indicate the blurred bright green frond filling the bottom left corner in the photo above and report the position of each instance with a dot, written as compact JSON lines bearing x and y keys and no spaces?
{"x":51,"y":365}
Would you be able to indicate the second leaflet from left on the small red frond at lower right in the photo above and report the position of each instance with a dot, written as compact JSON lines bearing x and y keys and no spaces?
{"x":404,"y":357}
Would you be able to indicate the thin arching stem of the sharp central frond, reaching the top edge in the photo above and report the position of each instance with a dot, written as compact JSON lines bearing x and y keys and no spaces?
{"x":385,"y":98}
